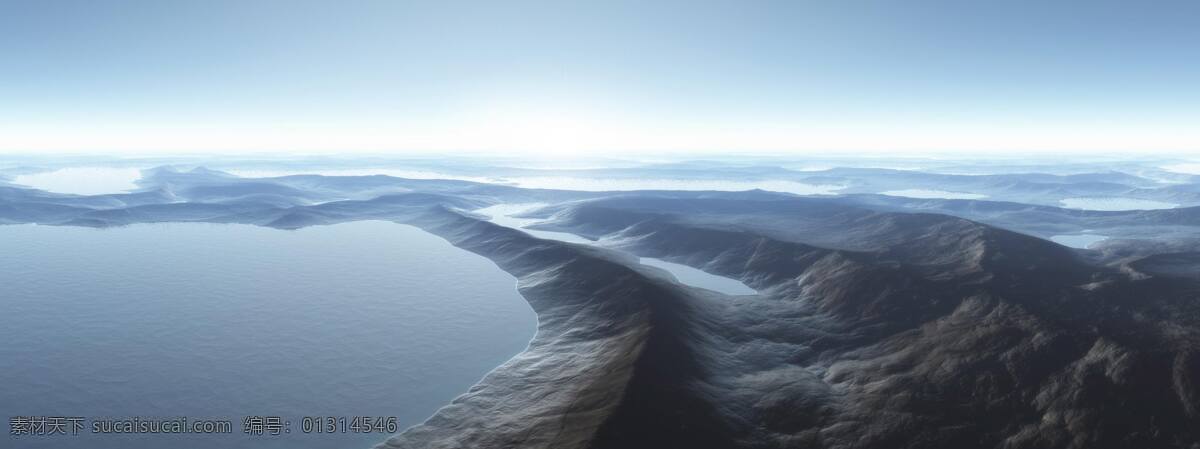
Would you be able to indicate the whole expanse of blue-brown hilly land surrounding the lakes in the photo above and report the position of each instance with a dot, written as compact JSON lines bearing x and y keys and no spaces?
{"x":880,"y":322}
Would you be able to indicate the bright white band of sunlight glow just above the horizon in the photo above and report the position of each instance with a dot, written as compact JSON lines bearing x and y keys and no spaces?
{"x":565,"y":136}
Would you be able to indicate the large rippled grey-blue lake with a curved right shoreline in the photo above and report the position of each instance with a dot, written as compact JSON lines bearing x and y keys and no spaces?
{"x":227,"y":321}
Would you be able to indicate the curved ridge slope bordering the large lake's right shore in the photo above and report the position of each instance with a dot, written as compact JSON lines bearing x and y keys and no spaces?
{"x":598,"y":321}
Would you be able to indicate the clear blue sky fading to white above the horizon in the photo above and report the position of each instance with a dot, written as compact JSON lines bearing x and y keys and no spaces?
{"x":561,"y":79}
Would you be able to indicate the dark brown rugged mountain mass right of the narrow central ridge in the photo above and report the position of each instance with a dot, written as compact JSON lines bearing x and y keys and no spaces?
{"x":1007,"y":342}
